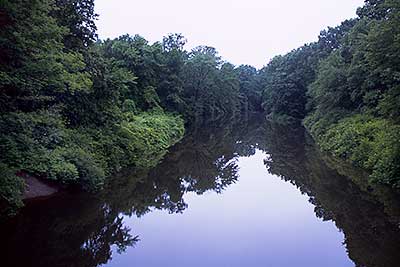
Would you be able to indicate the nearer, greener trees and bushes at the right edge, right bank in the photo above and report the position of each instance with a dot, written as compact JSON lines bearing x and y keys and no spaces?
{"x":355,"y":96}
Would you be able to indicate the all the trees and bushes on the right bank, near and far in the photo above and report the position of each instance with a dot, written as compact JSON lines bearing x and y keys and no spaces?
{"x":346,"y":89}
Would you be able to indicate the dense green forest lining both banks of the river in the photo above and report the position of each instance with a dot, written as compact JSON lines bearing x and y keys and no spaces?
{"x":75,"y":109}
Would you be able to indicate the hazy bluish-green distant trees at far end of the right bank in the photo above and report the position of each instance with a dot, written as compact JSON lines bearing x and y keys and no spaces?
{"x":285,"y":79}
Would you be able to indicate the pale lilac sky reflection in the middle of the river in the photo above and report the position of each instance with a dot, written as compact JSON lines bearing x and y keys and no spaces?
{"x":259,"y":221}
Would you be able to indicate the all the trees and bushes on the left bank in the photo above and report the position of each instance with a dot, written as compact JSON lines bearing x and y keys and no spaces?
{"x":76,"y":109}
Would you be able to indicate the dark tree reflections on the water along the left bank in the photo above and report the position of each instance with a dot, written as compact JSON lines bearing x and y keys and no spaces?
{"x":80,"y":230}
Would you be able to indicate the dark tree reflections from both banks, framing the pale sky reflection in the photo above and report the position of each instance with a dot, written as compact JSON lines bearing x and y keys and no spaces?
{"x":82,"y":230}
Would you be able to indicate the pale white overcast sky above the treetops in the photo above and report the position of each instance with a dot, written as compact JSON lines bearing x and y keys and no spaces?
{"x":243,"y":31}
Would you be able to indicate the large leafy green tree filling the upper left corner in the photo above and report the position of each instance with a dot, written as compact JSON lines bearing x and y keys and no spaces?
{"x":35,"y":70}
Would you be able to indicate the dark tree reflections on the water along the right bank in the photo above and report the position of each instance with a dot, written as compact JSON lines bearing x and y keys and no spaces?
{"x":371,"y":233}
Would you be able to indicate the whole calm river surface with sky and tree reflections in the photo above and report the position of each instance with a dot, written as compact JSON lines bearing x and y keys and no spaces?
{"x":248,"y":193}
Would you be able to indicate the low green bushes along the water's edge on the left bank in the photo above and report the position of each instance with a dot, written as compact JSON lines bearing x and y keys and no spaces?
{"x":40,"y":144}
